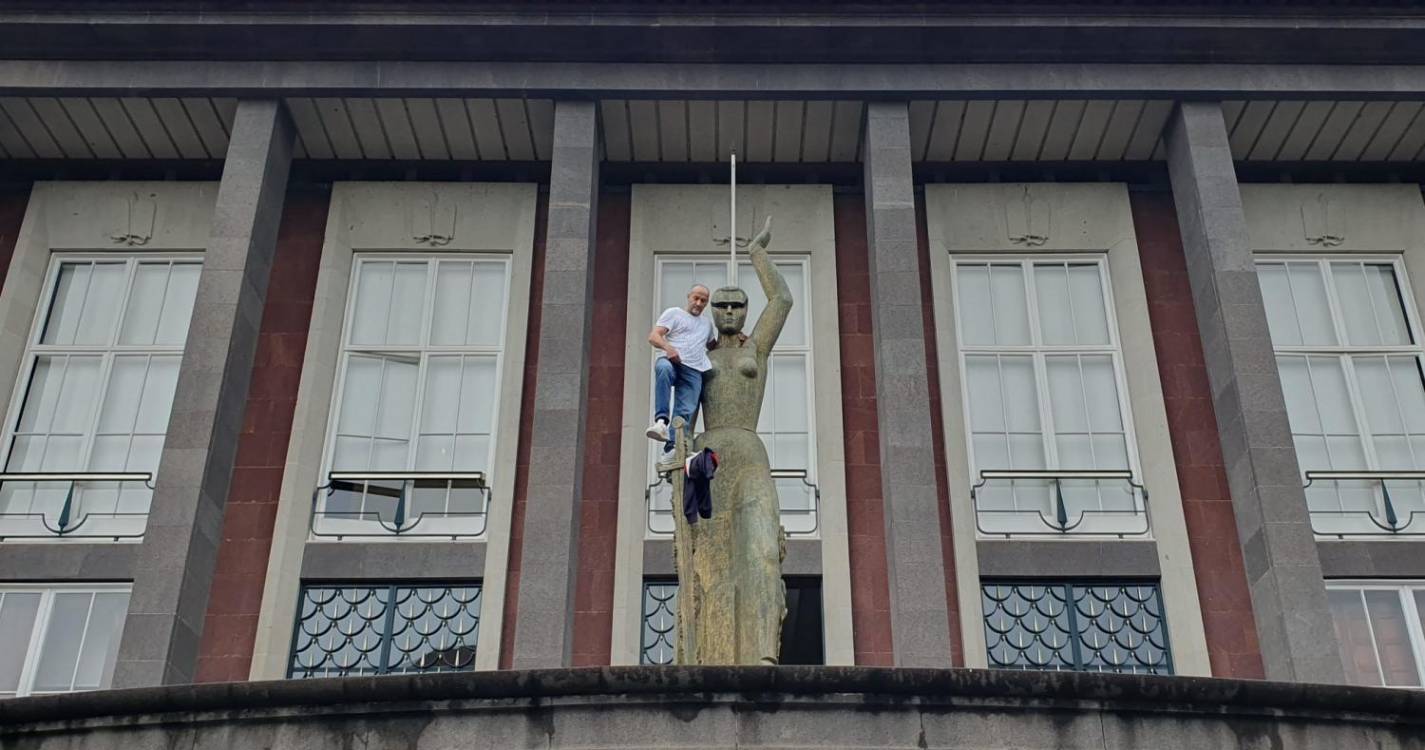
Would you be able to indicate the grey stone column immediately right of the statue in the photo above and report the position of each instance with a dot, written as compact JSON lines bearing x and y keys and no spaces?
{"x":920,"y":614}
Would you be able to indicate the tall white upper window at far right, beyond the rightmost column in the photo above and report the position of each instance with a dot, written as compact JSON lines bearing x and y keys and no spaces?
{"x":1350,"y":359}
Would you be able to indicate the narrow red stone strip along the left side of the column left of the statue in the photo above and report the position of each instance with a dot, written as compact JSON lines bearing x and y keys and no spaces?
{"x":522,"y":461}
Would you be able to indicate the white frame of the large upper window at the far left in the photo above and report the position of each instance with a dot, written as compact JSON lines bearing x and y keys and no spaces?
{"x":108,"y":353}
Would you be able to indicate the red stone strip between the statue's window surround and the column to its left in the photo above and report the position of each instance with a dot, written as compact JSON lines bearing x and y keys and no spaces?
{"x":599,"y":510}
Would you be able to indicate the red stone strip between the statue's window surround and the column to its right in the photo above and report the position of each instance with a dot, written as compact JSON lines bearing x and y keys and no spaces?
{"x":866,"y":514}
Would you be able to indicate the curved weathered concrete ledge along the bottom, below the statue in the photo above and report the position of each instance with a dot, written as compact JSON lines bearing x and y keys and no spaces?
{"x":726,"y":708}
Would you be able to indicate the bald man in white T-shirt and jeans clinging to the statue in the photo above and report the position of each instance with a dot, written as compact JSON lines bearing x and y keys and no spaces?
{"x":682,"y":339}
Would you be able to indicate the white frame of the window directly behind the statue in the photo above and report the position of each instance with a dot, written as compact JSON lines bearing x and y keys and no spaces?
{"x":812,"y":530}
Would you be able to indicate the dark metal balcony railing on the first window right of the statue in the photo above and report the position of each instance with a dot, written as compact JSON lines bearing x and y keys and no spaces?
{"x":1034,"y":503}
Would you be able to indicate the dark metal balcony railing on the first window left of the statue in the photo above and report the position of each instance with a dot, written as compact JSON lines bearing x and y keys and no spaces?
{"x":442,"y":505}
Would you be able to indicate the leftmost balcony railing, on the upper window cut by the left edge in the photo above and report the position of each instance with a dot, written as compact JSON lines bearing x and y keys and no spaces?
{"x":75,"y":505}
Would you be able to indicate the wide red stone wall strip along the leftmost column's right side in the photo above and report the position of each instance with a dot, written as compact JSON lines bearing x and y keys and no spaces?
{"x":232,"y":622}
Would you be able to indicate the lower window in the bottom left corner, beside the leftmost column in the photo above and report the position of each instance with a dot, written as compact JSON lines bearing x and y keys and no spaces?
{"x":59,"y":639}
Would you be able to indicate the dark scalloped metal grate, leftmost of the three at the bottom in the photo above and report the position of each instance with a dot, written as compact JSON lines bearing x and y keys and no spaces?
{"x":385,"y":630}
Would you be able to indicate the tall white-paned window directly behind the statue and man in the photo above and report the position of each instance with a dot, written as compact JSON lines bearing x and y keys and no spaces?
{"x":787,"y":424}
